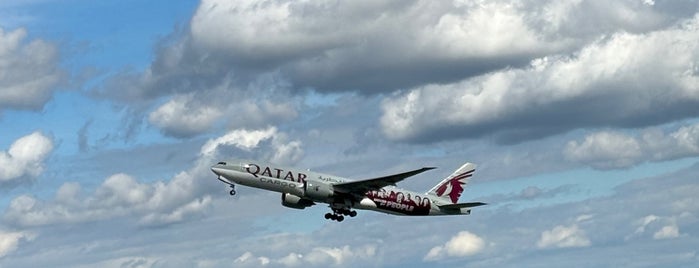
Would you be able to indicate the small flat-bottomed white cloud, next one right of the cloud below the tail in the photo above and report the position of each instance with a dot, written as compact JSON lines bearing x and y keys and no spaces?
{"x":563,"y":237}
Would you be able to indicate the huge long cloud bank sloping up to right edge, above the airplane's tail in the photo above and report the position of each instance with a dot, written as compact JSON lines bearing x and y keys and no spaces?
{"x":625,"y":80}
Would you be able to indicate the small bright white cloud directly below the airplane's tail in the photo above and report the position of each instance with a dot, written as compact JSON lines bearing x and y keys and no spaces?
{"x":461,"y":245}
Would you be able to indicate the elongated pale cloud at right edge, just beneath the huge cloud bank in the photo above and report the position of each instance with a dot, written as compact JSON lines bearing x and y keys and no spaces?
{"x":607,"y":149}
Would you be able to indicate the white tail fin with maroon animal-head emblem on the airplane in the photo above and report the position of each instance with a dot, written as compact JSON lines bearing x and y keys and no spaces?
{"x":451,"y":187}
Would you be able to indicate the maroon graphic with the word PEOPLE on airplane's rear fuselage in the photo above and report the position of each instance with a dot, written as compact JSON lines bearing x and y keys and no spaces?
{"x":400,"y":202}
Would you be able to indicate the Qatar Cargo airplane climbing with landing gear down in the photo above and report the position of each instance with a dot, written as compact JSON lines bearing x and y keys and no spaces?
{"x":303,"y":188}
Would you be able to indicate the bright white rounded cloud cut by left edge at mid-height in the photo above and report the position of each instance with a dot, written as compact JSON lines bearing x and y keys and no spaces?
{"x":24,"y":160}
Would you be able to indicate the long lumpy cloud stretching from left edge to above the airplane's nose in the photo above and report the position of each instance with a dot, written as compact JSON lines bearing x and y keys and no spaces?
{"x":181,"y":198}
